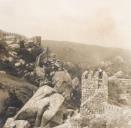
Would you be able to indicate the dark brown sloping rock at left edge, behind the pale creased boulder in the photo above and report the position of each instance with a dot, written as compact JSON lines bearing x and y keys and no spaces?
{"x":17,"y":88}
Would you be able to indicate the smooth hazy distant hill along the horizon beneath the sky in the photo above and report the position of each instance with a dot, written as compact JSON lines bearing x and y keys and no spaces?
{"x":85,"y":54}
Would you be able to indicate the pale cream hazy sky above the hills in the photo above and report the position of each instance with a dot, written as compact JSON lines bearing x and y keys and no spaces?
{"x":101,"y":22}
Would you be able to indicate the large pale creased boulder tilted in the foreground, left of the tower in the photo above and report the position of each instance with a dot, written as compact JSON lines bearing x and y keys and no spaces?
{"x":42,"y":107}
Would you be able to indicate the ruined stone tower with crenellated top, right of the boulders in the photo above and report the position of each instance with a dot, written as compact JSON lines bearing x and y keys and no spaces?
{"x":94,"y":93}
